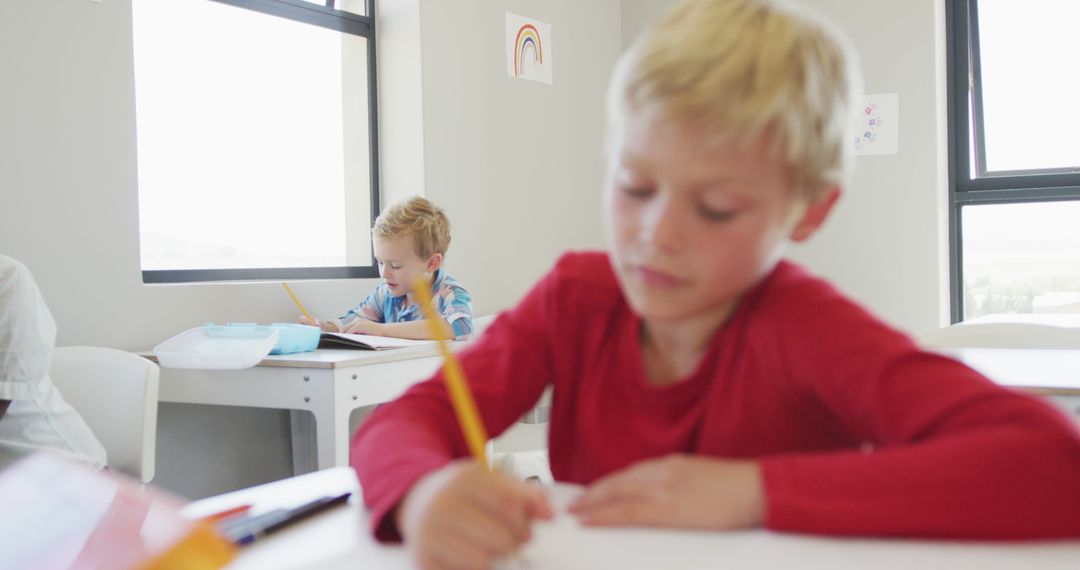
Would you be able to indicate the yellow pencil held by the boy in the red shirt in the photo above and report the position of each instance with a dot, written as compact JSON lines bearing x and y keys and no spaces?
{"x":462,"y":399}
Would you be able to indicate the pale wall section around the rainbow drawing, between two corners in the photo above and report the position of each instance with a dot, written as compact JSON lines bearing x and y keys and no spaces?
{"x":516,"y":164}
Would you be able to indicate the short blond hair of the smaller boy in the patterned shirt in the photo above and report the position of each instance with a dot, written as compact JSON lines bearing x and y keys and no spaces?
{"x":418,"y":218}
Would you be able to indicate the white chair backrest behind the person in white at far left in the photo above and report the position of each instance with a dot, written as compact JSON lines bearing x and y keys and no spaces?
{"x":116,"y":392}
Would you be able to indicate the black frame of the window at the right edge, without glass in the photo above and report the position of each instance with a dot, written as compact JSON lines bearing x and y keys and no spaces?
{"x":965,"y":116}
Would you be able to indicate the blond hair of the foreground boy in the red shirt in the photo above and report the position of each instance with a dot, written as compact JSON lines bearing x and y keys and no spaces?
{"x":744,"y":70}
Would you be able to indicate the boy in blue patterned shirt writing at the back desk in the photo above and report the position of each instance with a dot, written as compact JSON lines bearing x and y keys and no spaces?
{"x":411,"y":240}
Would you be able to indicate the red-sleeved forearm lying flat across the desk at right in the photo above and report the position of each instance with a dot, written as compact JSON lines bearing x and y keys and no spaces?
{"x":990,"y":478}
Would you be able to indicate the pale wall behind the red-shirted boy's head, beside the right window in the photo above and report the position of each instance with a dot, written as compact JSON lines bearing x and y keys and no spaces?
{"x":886,"y":243}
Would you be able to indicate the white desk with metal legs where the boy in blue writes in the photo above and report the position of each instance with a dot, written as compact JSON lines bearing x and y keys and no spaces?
{"x":329,"y":384}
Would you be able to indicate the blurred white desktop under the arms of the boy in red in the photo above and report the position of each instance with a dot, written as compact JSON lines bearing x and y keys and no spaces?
{"x":341,"y":539}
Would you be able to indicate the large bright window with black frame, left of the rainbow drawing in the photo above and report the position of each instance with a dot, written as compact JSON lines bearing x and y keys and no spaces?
{"x":256,"y":139}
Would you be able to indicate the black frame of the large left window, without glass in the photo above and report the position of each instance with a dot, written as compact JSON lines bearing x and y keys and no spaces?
{"x":327,"y":17}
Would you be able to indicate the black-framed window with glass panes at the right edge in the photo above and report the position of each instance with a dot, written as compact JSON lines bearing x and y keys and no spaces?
{"x":1015,"y":166}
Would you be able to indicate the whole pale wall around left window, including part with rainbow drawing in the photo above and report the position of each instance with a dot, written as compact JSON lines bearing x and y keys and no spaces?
{"x":515,"y":164}
